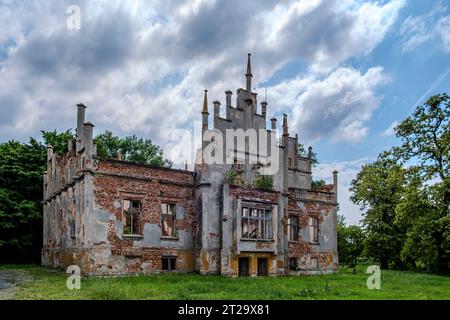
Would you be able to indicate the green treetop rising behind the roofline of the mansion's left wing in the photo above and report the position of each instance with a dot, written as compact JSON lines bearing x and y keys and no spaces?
{"x":130,"y":148}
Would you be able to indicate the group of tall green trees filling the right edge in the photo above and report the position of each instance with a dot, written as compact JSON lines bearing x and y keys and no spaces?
{"x":406,"y":193}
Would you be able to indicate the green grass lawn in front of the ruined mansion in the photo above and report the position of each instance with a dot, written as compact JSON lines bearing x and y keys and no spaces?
{"x":347,"y":284}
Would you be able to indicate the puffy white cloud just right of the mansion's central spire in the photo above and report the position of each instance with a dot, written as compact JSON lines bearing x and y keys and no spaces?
{"x":336,"y":107}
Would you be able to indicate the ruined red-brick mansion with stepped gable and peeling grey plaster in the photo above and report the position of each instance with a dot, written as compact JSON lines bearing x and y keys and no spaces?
{"x":114,"y":217}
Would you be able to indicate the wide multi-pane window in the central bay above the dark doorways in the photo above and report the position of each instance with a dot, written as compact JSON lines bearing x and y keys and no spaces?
{"x":256,"y":223}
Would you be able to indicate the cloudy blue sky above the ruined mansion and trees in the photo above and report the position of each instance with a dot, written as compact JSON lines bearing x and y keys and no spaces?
{"x":345,"y":71}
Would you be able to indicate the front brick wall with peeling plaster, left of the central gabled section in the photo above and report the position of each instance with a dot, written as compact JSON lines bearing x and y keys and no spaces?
{"x":116,"y":181}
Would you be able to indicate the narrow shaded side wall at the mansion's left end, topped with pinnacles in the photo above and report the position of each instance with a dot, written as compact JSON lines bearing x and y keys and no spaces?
{"x":67,"y":204}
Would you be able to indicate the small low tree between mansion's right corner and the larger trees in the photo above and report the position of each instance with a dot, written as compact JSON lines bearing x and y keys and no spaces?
{"x":350,"y":242}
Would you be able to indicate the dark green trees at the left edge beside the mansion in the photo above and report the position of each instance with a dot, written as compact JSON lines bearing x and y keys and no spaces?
{"x":21,"y":170}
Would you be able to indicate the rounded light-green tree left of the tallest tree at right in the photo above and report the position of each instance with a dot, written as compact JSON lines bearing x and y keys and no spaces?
{"x":378,"y":188}
